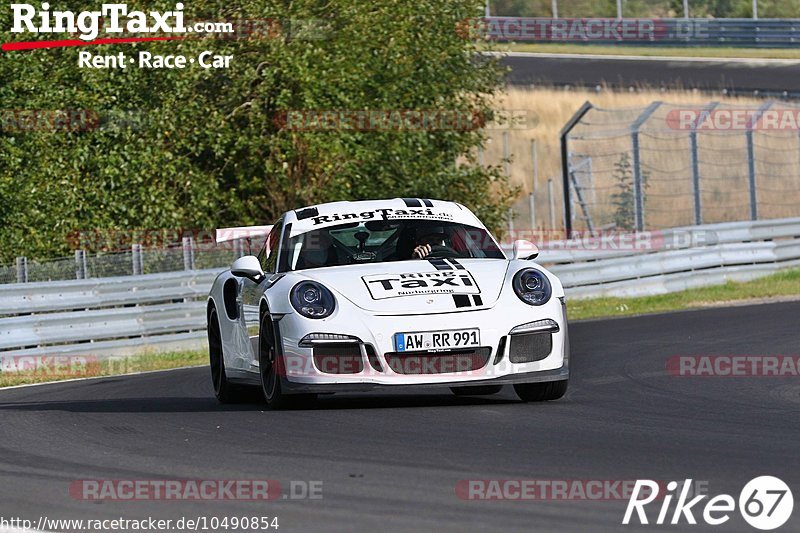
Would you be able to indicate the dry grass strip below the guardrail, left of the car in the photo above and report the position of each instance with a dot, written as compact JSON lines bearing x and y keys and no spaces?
{"x":26,"y":370}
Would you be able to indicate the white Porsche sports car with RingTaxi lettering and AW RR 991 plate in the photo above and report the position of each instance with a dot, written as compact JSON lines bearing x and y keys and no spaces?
{"x":350,"y":296}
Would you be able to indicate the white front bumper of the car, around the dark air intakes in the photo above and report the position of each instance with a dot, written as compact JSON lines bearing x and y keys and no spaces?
{"x":302,"y":374}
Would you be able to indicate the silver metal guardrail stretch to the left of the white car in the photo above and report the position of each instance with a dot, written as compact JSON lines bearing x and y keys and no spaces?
{"x":104,"y":315}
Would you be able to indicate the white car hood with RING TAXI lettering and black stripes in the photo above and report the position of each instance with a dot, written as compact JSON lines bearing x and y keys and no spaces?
{"x":416,"y":286}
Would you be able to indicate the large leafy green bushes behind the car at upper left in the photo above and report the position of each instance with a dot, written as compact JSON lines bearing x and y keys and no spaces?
{"x":198,"y":148}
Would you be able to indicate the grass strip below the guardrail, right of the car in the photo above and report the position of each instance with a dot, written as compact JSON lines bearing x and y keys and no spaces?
{"x":782,"y":284}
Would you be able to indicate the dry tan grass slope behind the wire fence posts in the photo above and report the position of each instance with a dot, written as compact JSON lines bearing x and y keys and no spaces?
{"x":665,"y":155}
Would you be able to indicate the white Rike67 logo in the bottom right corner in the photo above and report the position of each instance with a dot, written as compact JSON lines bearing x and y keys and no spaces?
{"x":765,"y":503}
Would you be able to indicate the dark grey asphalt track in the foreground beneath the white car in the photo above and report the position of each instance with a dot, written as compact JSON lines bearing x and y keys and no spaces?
{"x":391,"y":463}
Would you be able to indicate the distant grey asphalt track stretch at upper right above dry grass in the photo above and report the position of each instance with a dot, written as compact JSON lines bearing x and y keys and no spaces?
{"x":771,"y":77}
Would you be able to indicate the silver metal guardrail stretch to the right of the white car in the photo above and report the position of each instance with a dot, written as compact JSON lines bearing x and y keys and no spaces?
{"x":676,"y":259}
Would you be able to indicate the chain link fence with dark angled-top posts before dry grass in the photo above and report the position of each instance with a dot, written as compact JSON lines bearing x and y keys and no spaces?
{"x":664,"y":166}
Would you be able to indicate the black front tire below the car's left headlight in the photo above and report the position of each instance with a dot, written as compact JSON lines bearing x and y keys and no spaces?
{"x":271,"y":368}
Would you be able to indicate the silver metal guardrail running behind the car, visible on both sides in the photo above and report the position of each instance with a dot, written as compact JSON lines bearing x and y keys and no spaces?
{"x":108,"y":316}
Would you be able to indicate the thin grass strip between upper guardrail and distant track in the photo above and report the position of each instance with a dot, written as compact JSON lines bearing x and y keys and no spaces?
{"x":651,"y":51}
